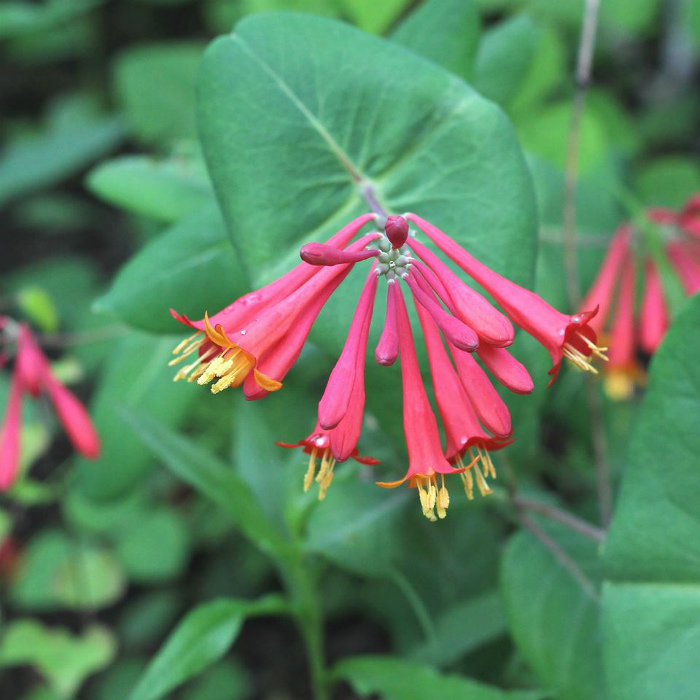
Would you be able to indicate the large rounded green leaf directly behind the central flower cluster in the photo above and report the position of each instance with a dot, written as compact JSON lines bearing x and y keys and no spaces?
{"x":433,"y":146}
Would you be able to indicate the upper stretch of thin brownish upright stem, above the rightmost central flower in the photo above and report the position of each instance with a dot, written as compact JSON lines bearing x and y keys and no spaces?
{"x":583,"y":78}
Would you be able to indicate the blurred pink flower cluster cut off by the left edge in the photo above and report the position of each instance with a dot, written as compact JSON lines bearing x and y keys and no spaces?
{"x":32,"y":375}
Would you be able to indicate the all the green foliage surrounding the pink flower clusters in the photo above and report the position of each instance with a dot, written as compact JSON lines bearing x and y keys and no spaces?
{"x":153,"y":159}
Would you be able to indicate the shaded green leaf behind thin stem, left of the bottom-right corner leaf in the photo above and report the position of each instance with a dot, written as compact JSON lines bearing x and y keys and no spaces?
{"x":553,"y":615}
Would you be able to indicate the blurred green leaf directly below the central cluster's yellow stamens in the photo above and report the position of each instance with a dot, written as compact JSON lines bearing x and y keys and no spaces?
{"x":356,"y":527}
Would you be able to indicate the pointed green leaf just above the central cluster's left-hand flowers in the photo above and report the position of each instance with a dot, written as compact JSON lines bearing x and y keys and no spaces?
{"x":191,"y":267}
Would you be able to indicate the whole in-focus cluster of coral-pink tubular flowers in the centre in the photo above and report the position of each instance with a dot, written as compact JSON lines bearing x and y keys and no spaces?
{"x":255,"y":341}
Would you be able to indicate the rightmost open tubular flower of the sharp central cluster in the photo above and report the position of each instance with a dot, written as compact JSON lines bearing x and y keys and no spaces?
{"x":562,"y":335}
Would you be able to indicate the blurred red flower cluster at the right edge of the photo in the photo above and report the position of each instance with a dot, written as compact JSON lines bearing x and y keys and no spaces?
{"x":615,"y":290}
